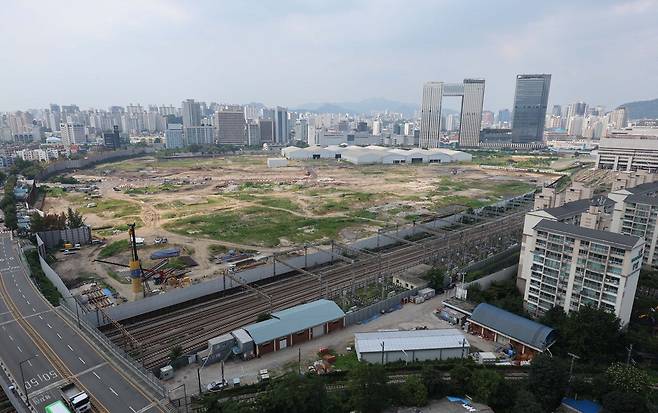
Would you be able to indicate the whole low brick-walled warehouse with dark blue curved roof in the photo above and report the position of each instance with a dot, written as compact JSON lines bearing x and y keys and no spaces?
{"x":527,"y":337}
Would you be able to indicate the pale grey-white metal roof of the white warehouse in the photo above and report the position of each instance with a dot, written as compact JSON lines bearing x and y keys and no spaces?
{"x":409,"y":340}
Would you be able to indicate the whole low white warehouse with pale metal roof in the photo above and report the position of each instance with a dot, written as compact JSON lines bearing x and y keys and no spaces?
{"x":413,"y":345}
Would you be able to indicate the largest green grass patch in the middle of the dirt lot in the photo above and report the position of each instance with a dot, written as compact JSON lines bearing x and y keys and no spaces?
{"x":260,"y":226}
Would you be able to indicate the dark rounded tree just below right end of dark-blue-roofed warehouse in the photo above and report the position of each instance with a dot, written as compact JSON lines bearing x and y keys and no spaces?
{"x":548,"y":379}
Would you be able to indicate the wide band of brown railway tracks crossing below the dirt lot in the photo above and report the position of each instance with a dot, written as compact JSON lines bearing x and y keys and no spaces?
{"x":191,"y":326}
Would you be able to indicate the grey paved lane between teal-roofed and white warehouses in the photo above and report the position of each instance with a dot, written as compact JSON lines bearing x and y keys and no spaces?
{"x":411,"y":315}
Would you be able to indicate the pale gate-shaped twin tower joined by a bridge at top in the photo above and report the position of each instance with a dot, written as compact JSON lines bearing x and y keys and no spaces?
{"x":472,"y":93}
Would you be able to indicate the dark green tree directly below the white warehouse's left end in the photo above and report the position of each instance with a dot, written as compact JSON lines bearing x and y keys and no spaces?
{"x":368,"y":388}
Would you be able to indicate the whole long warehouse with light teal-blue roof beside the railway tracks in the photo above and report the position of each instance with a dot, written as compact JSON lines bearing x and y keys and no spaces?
{"x":296,"y":325}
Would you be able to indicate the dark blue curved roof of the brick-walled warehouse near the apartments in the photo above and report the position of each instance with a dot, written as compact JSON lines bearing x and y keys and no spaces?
{"x":521,"y":329}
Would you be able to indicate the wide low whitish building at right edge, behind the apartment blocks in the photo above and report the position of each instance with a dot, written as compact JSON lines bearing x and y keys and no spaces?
{"x":628,"y":151}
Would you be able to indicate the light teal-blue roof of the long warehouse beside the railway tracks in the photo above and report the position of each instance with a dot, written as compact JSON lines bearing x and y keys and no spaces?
{"x":294,"y":319}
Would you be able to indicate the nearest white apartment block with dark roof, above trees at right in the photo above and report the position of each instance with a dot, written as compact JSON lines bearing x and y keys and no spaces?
{"x":572,"y":266}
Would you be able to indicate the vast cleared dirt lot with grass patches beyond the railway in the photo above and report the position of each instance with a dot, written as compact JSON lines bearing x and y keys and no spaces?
{"x":232,"y":212}
